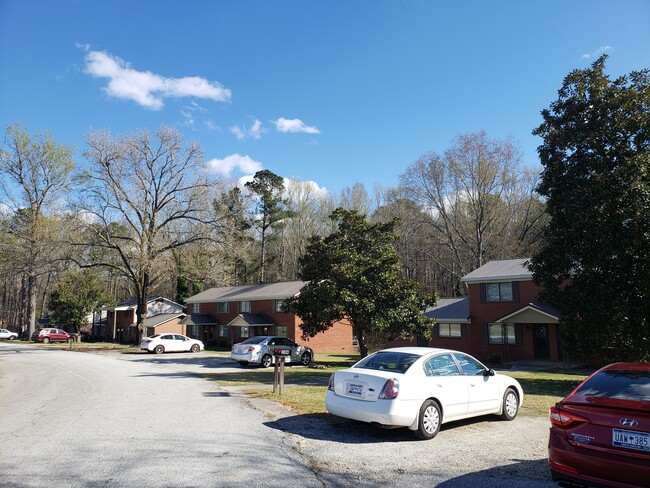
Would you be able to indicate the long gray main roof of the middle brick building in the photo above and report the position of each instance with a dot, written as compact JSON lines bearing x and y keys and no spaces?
{"x":259,"y":291}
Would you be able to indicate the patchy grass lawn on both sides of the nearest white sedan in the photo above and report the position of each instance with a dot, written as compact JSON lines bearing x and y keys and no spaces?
{"x":305,"y":387}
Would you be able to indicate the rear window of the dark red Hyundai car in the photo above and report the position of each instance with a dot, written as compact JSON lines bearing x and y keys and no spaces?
{"x":620,"y":384}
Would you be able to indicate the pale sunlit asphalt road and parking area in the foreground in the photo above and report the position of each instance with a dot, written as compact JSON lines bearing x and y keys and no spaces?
{"x":88,"y":420}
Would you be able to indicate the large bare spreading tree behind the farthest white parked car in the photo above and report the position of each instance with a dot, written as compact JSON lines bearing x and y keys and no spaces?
{"x":143,"y":197}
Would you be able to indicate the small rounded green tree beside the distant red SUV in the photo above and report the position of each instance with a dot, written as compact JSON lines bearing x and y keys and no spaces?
{"x":77,"y":295}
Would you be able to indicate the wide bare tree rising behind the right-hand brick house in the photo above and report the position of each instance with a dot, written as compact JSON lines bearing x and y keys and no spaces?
{"x":475,"y":199}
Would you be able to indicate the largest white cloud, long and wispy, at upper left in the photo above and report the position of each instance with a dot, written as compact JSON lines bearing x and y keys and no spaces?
{"x":146,"y":88}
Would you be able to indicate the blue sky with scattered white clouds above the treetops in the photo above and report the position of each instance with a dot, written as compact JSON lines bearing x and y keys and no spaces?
{"x":335,"y":92}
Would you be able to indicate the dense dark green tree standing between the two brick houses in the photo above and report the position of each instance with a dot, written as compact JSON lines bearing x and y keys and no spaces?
{"x":355,"y":274}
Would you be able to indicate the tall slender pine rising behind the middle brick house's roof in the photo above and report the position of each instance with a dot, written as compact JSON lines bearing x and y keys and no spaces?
{"x":271,"y":210}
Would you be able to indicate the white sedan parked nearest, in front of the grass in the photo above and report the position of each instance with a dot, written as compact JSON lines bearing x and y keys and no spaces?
{"x":421,"y":388}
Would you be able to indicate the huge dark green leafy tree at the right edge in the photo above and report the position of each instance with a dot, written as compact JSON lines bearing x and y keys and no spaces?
{"x":595,"y":262}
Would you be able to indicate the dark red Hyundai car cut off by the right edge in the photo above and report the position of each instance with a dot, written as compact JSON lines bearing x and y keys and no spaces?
{"x":600,"y":433}
